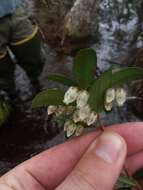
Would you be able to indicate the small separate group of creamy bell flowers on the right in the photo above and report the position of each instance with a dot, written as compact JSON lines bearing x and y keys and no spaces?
{"x":112,"y":95}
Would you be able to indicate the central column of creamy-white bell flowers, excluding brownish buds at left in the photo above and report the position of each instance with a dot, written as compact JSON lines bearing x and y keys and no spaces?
{"x":82,"y":113}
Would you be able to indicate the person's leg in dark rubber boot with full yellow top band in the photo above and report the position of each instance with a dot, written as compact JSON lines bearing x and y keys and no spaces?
{"x":26,"y":45}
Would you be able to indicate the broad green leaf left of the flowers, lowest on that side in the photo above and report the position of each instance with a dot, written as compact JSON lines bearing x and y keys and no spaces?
{"x":48,"y":97}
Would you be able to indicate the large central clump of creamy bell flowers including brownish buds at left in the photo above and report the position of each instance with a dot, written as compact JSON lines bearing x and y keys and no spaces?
{"x":76,"y":106}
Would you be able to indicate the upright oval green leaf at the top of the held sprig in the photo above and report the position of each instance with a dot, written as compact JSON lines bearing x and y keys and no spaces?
{"x":84,"y":66}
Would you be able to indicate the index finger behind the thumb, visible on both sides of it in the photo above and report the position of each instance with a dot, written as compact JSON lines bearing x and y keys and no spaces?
{"x":45,"y":167}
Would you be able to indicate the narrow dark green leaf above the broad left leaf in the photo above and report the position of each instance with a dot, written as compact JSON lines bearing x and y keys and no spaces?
{"x":62,"y":79}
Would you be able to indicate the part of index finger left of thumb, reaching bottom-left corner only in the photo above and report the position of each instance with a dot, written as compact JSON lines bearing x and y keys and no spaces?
{"x":49,"y":168}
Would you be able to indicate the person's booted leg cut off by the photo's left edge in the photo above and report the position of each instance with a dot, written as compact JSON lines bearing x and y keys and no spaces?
{"x":6,"y":65}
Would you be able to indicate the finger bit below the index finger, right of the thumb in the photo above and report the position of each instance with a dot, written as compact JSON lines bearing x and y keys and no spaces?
{"x":134,"y":163}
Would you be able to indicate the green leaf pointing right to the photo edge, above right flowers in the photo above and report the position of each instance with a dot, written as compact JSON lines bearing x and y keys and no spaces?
{"x":127,"y":75}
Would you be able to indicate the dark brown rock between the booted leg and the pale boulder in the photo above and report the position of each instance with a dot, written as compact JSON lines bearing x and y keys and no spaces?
{"x":50,"y":16}
